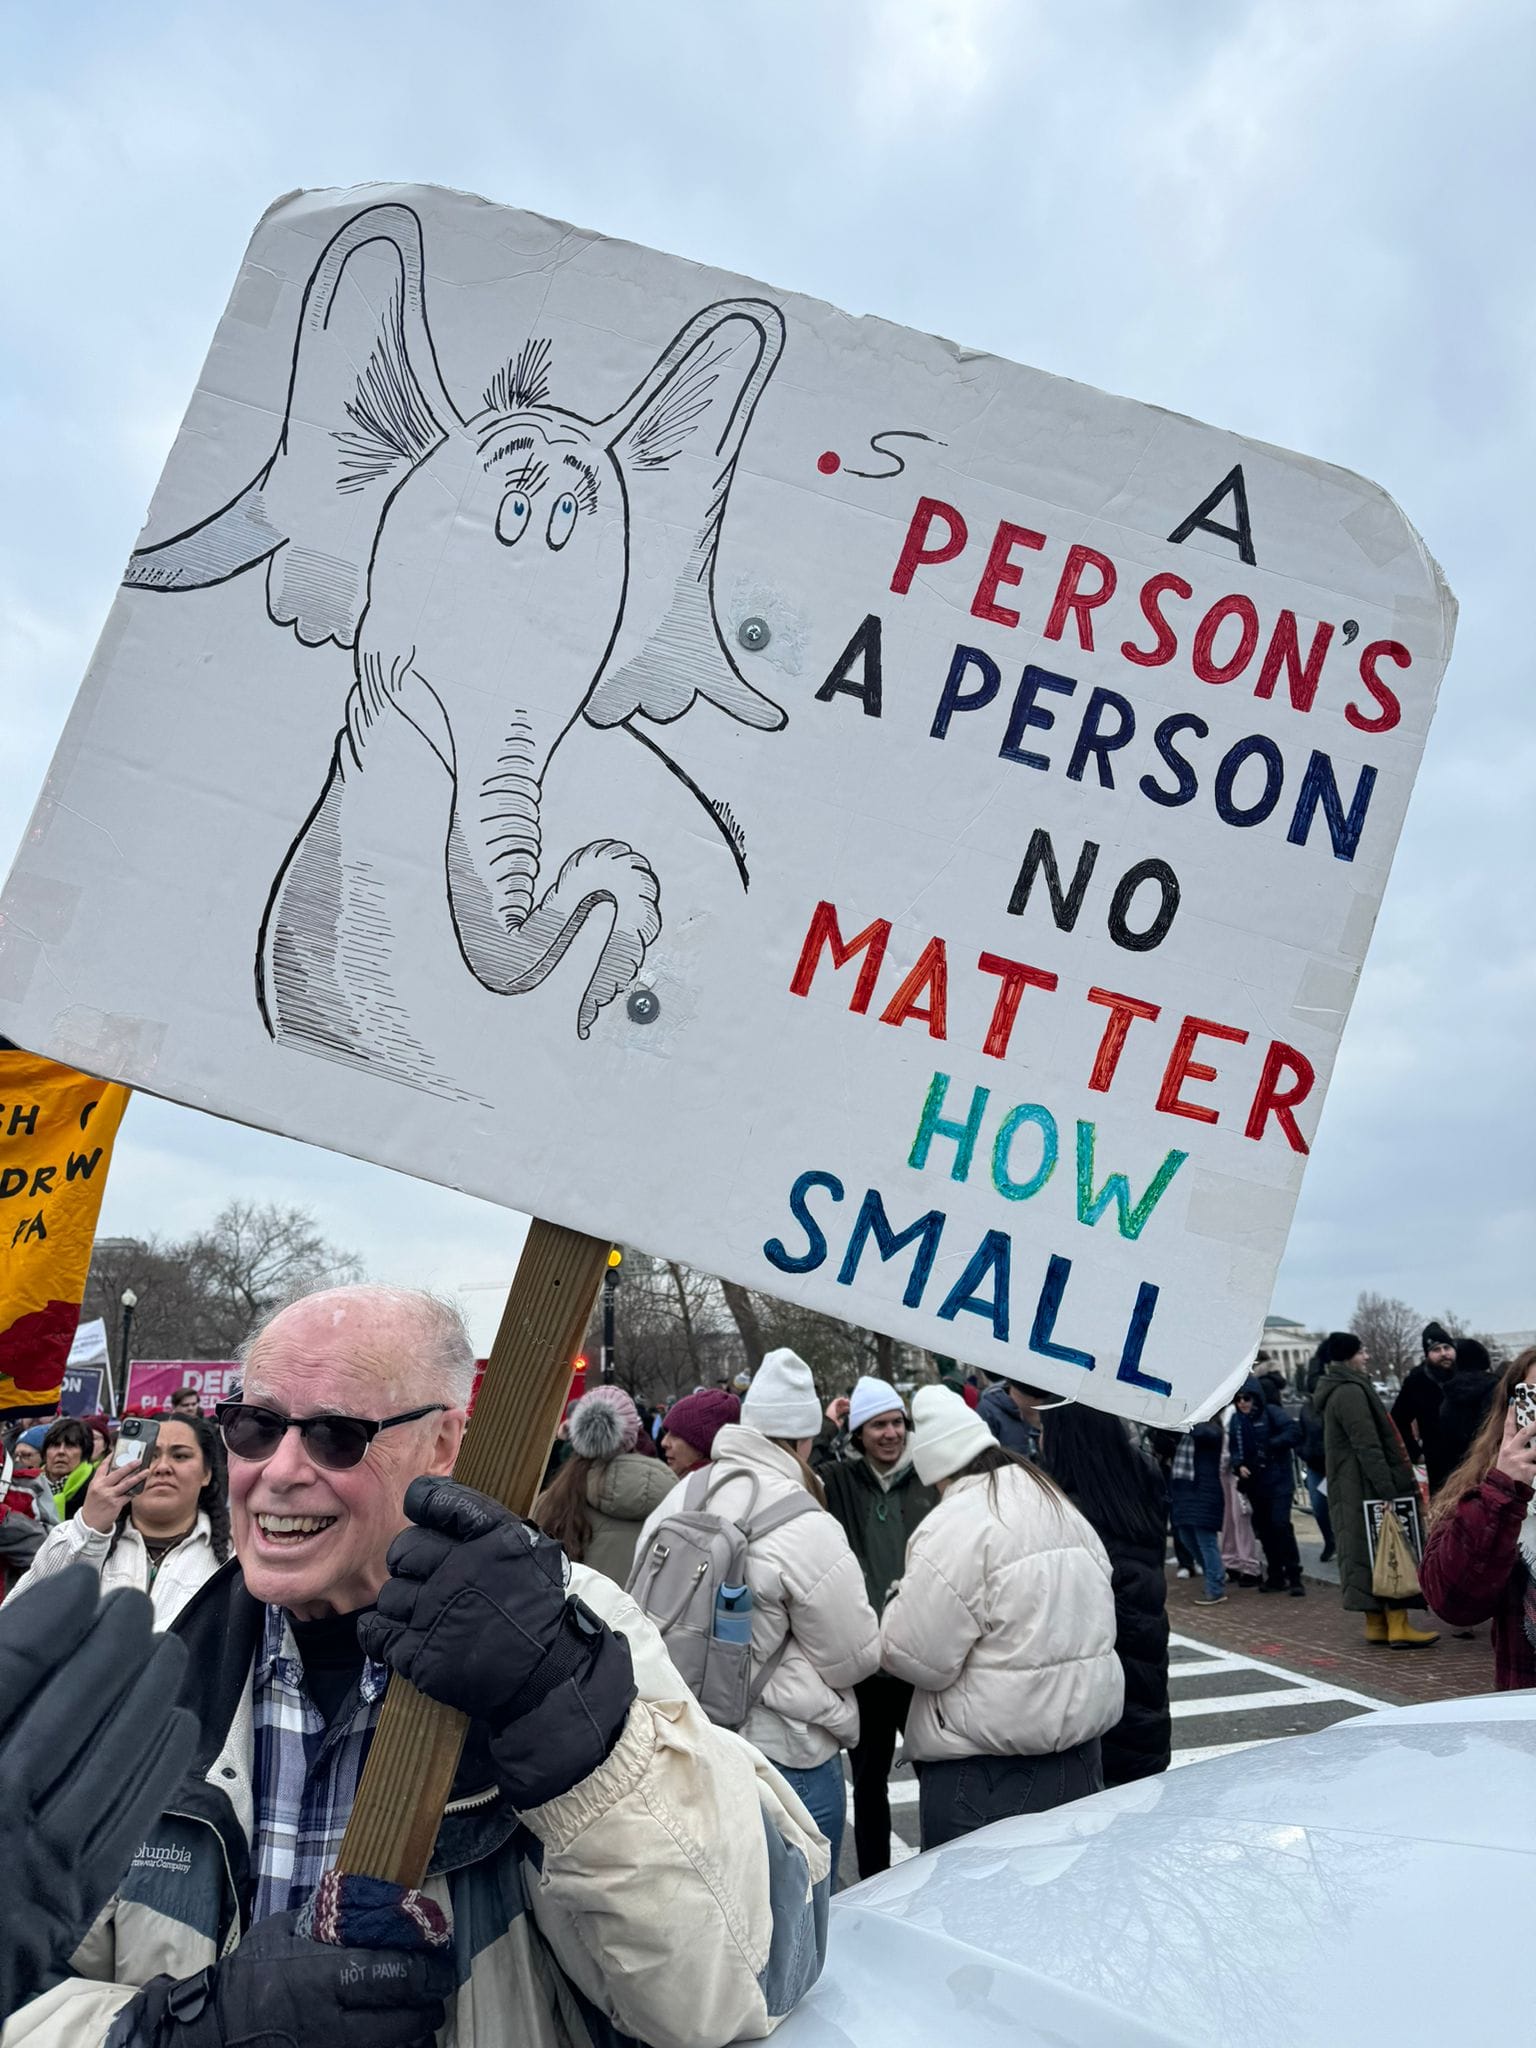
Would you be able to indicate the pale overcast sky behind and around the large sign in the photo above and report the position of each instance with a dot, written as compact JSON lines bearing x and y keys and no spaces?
{"x":1299,"y":220}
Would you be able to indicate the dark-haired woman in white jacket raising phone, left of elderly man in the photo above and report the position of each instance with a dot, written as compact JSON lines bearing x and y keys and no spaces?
{"x":159,"y":1525}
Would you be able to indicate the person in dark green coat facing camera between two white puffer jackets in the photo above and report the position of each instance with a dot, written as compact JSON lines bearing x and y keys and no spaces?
{"x":880,"y":1502}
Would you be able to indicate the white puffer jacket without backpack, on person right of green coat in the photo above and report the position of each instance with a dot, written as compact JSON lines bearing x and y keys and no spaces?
{"x":1005,"y":1623}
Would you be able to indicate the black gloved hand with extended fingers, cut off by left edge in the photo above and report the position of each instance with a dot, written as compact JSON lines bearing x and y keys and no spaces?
{"x":91,"y":1748}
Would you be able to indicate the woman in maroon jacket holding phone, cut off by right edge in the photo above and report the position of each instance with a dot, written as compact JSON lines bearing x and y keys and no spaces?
{"x":1480,"y":1560}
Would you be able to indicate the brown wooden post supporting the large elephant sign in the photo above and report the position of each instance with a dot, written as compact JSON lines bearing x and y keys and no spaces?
{"x":417,"y":1746}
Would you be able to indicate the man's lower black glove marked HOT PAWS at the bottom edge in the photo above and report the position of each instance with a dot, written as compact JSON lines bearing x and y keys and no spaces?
{"x":282,"y":1992}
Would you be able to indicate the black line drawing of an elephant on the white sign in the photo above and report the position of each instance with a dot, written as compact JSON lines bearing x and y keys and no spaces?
{"x":497,"y":577}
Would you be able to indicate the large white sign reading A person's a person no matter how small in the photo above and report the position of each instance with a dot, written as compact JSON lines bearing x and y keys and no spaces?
{"x":888,"y":826}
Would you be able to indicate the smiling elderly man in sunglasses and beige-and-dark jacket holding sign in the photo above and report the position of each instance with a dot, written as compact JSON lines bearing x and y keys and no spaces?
{"x":609,"y":1861}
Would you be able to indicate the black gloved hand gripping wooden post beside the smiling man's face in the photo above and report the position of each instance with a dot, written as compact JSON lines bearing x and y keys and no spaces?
{"x":476,"y":1615}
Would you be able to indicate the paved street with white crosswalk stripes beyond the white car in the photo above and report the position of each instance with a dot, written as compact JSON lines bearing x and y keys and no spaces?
{"x":1261,"y":1668}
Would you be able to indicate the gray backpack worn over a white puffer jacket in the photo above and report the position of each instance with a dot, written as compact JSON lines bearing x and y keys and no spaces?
{"x":693,"y":1553}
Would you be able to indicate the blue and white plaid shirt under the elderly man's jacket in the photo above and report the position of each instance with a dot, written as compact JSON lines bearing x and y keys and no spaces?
{"x":306,"y":1773}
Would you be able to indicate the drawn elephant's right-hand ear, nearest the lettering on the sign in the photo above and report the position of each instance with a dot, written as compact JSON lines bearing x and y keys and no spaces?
{"x":677,"y":443}
